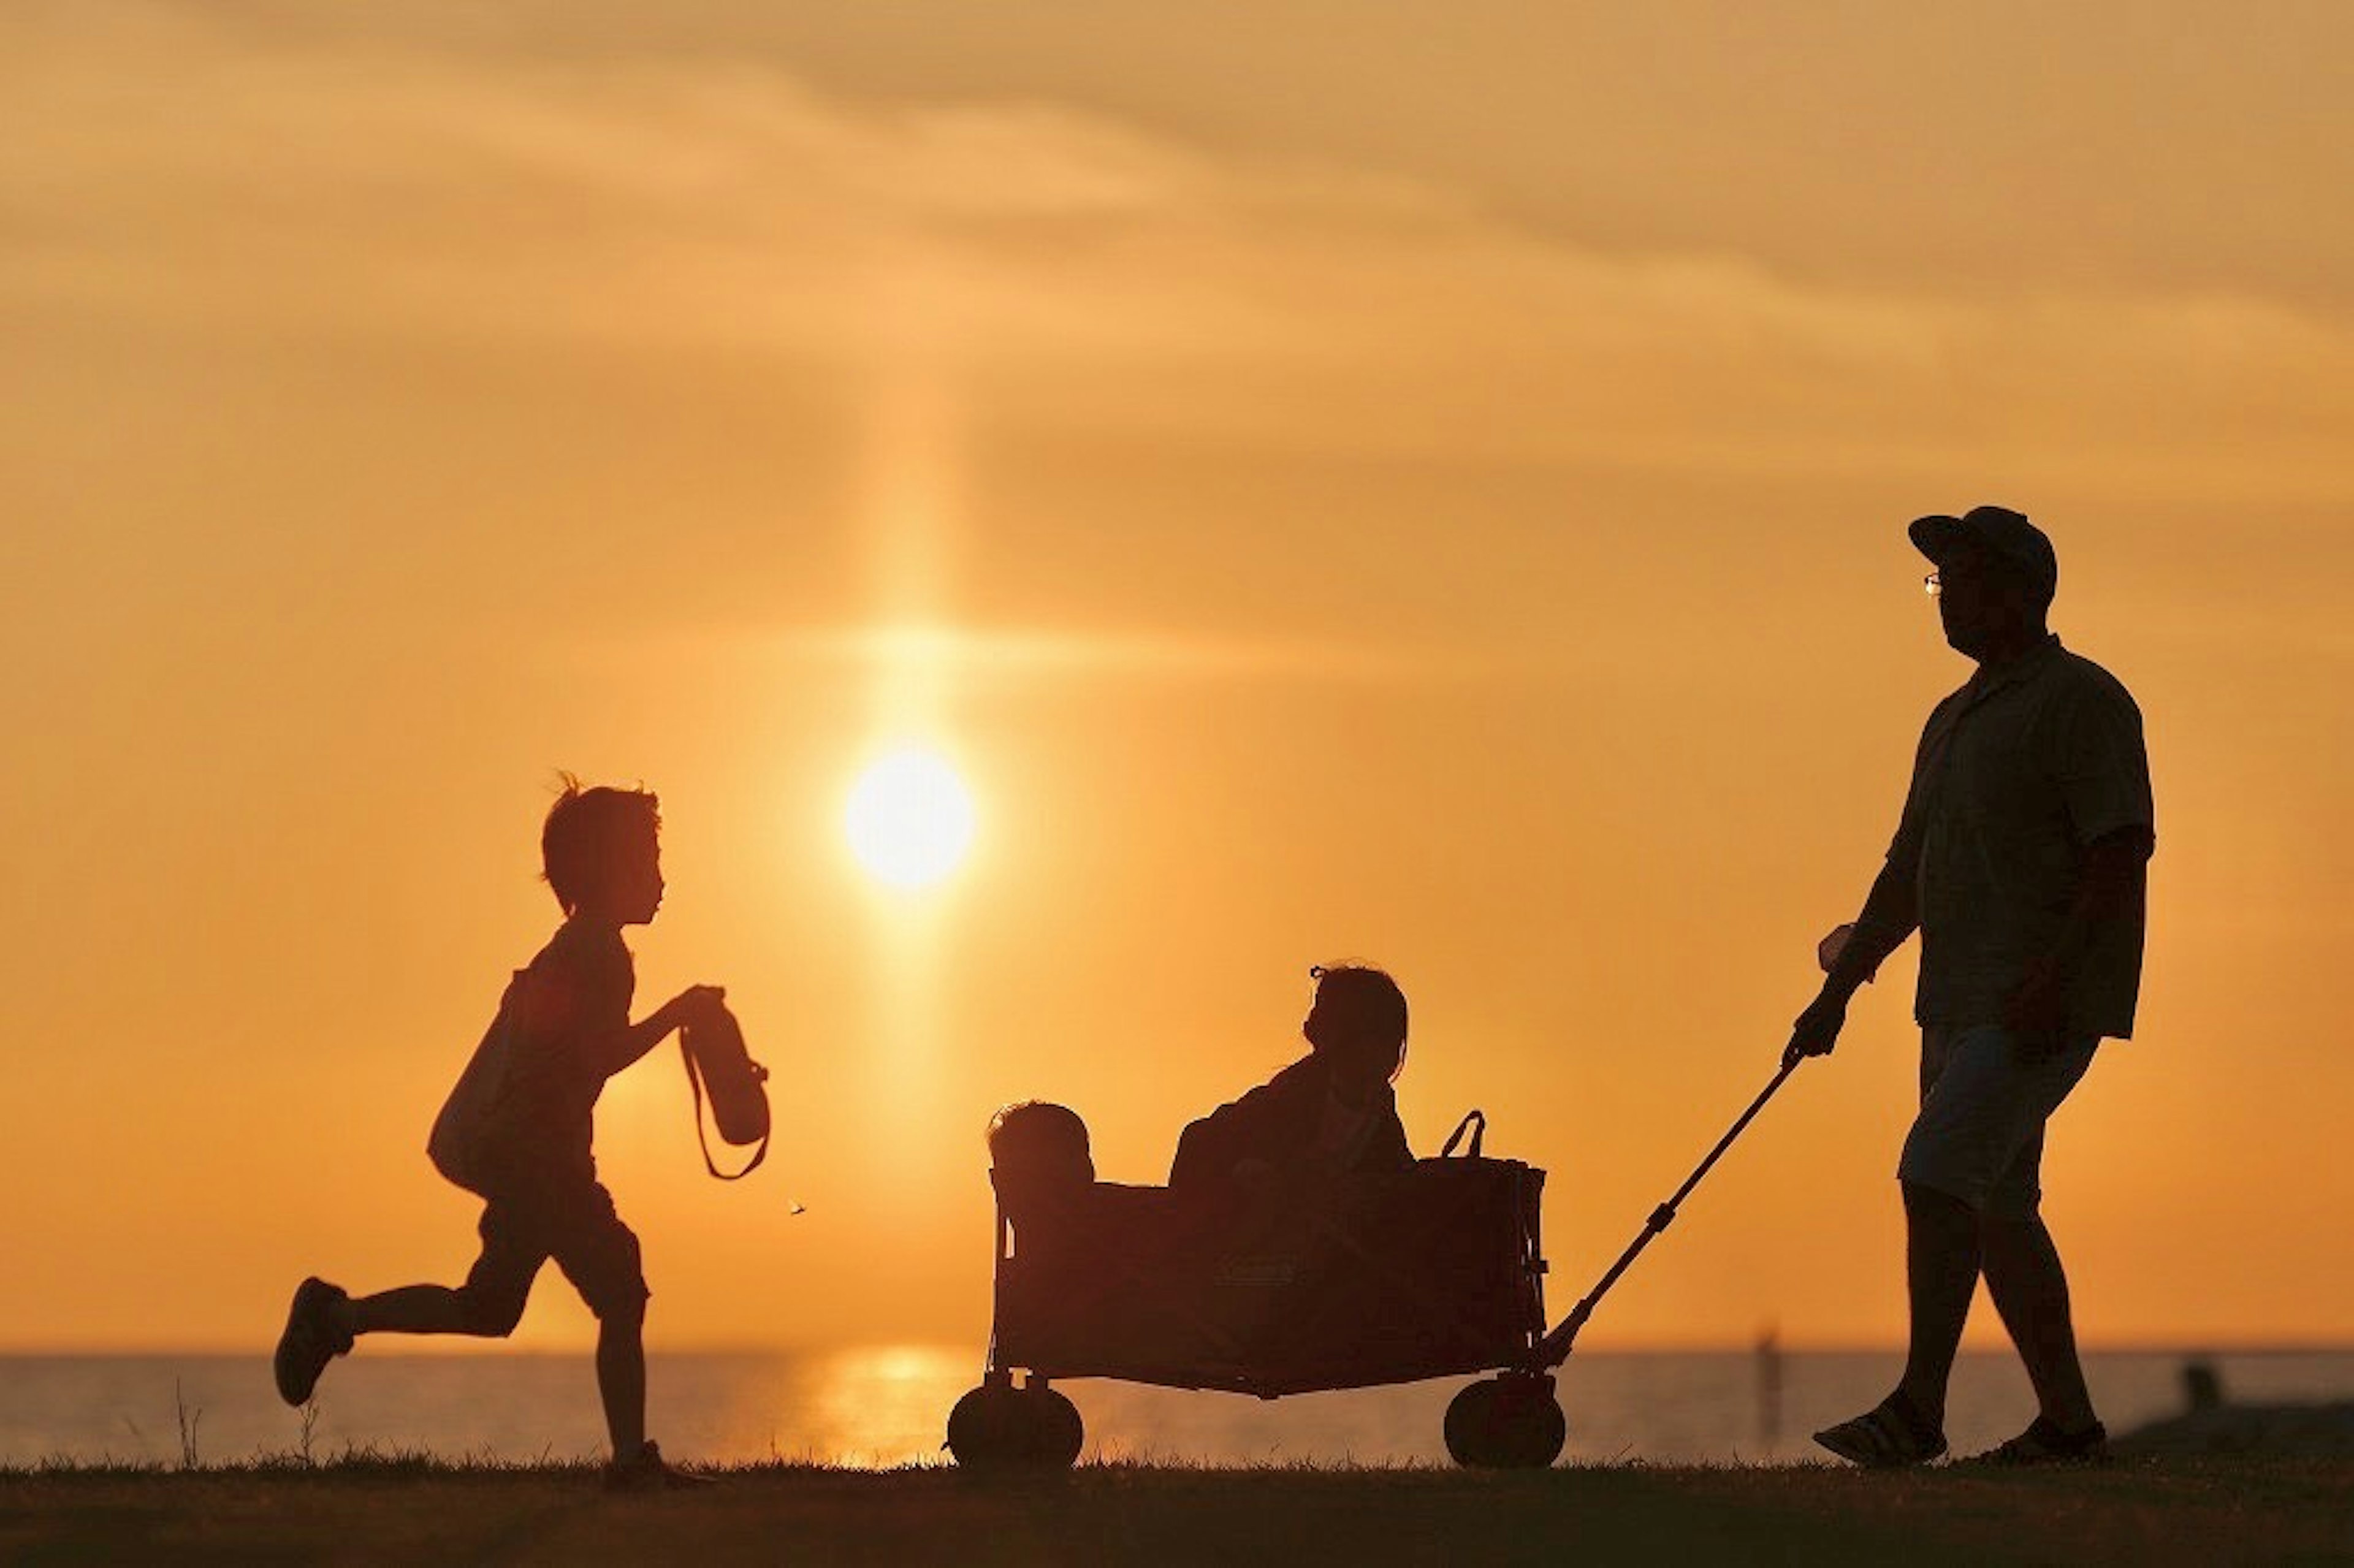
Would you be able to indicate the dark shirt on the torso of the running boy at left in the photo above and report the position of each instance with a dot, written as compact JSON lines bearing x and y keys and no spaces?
{"x":573,"y":1018}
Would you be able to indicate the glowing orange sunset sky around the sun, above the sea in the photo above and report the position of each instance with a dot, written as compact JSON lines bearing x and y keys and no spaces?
{"x":1395,"y":479}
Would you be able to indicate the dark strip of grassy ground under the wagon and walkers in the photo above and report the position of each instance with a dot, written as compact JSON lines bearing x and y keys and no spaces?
{"x":425,"y":1513}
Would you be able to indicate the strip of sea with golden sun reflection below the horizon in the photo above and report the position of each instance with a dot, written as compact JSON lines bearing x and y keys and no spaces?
{"x":891,"y":1404}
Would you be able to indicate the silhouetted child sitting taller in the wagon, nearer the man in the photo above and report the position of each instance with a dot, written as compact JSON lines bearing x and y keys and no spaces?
{"x":1331,"y":1112}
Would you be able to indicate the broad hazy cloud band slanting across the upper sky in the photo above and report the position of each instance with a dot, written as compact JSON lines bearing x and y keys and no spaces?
{"x":1068,"y":270}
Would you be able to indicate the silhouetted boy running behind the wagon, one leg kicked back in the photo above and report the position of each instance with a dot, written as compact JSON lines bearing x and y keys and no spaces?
{"x":571,"y":1032}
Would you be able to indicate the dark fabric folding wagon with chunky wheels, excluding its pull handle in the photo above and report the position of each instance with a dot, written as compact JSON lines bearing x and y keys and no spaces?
{"x":1343,"y":1284}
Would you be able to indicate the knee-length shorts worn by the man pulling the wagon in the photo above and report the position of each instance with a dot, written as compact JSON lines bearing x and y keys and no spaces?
{"x":1981,"y":1129}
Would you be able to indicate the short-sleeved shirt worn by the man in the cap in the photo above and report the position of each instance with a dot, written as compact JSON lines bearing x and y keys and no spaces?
{"x":2016,"y":776}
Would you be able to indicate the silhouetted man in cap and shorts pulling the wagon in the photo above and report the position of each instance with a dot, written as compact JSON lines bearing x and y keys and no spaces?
{"x":2021,"y":858}
